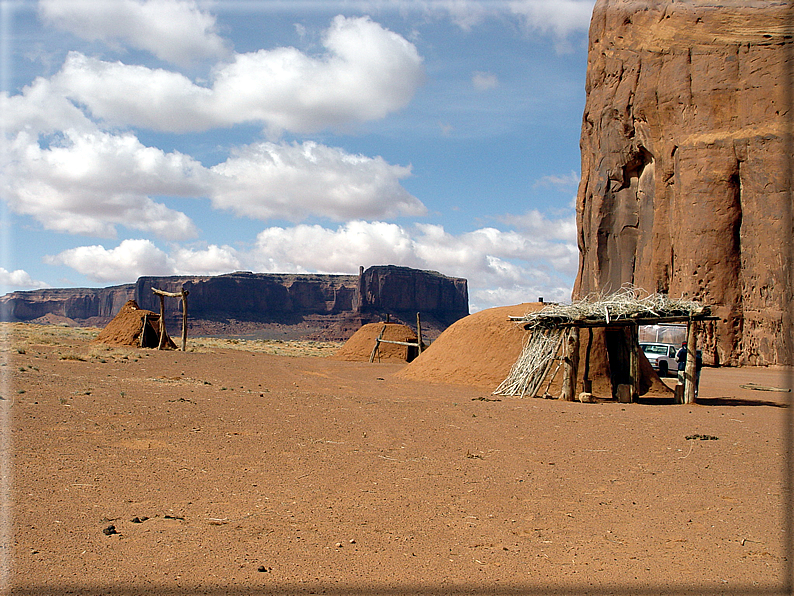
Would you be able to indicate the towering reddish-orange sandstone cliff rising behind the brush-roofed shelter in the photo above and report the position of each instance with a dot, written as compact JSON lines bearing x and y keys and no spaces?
{"x":684,"y":186}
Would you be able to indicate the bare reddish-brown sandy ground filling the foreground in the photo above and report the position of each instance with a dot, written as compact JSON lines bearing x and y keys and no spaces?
{"x":233,"y":472}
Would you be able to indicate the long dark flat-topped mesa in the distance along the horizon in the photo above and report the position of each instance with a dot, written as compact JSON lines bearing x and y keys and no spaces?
{"x":306,"y":305}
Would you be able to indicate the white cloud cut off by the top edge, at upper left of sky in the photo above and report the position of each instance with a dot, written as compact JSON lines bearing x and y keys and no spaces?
{"x":177,"y":31}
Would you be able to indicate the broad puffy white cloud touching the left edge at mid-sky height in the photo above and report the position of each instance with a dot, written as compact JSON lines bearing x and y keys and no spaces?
{"x":90,"y":182}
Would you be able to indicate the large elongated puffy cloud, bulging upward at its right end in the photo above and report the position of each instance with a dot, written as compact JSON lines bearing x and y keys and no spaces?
{"x":365,"y":73}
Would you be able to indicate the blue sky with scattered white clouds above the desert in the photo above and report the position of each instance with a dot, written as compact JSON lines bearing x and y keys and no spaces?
{"x":183,"y":137}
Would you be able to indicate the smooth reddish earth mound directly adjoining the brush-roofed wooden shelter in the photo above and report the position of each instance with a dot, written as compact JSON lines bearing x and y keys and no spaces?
{"x":477,"y":350}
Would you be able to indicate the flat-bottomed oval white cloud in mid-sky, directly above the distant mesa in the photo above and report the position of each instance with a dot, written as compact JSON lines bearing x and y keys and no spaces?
{"x":294,"y":180}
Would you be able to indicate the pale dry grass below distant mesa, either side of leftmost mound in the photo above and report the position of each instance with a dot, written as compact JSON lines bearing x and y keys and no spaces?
{"x":19,"y":337}
